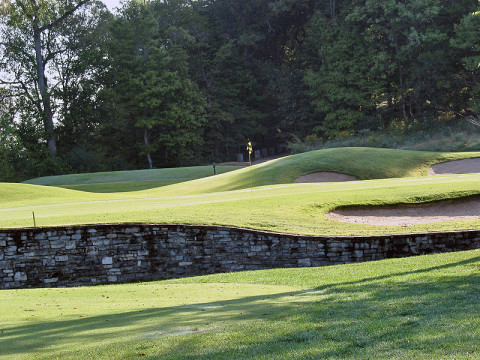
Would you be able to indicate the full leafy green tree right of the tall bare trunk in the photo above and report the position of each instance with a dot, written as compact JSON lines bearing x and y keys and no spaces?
{"x":152,"y":87}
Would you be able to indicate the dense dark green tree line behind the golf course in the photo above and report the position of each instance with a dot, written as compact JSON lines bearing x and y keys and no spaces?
{"x":179,"y":82}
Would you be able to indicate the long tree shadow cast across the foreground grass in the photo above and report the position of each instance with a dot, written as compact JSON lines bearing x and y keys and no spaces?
{"x":427,"y":315}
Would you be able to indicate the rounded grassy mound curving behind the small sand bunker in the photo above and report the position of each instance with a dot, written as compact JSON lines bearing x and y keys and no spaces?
{"x":364,"y":163}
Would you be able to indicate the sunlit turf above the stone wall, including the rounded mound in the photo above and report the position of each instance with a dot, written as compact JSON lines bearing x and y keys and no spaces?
{"x":278,"y":205}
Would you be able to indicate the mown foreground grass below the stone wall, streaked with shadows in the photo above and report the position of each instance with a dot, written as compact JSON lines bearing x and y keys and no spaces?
{"x":423,"y":307}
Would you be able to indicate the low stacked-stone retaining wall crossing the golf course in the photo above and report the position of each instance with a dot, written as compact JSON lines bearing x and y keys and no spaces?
{"x":94,"y":254}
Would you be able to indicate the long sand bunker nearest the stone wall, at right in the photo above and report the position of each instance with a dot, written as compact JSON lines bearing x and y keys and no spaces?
{"x":411,"y":214}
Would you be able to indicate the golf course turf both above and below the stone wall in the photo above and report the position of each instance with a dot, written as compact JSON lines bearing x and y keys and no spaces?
{"x":418,"y":307}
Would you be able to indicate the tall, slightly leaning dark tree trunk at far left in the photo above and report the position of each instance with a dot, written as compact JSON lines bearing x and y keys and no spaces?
{"x":42,"y":86}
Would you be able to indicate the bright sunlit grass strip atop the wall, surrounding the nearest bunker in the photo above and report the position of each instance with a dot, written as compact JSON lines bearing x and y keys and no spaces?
{"x":294,"y":208}
